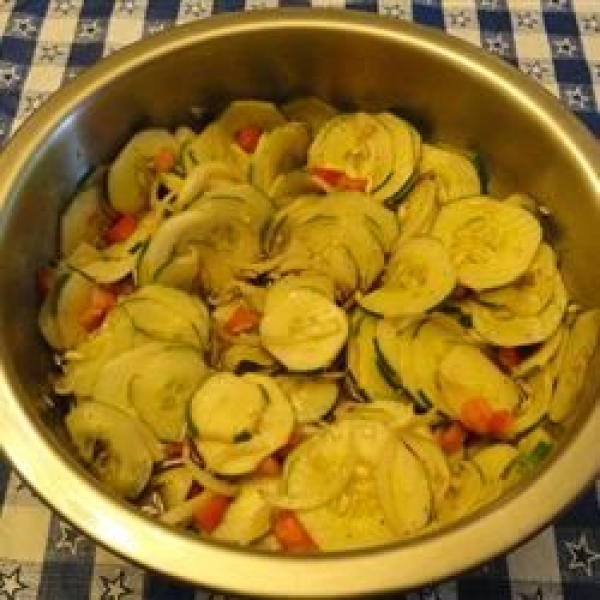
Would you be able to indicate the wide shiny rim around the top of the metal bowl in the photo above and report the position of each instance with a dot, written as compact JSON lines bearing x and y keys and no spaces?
{"x":137,"y":538}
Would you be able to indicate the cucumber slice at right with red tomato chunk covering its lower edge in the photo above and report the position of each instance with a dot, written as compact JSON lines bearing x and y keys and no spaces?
{"x":466,"y":373}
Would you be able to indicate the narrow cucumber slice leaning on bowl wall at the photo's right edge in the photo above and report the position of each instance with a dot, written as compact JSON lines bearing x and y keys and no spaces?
{"x":579,"y":348}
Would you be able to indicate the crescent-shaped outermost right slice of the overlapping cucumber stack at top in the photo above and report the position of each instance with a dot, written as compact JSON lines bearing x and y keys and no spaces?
{"x":406,"y":147}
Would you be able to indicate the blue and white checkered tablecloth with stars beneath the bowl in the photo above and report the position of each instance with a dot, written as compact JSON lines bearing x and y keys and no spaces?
{"x":44,"y":43}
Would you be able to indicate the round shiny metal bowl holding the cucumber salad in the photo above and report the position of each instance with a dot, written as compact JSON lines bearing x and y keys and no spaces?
{"x":456,"y":92}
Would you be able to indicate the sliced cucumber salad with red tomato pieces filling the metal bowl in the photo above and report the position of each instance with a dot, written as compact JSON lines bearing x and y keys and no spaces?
{"x":307,"y":330}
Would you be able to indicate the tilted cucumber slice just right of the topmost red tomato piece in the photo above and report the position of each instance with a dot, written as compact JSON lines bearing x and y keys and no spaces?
{"x":278,"y":152}
